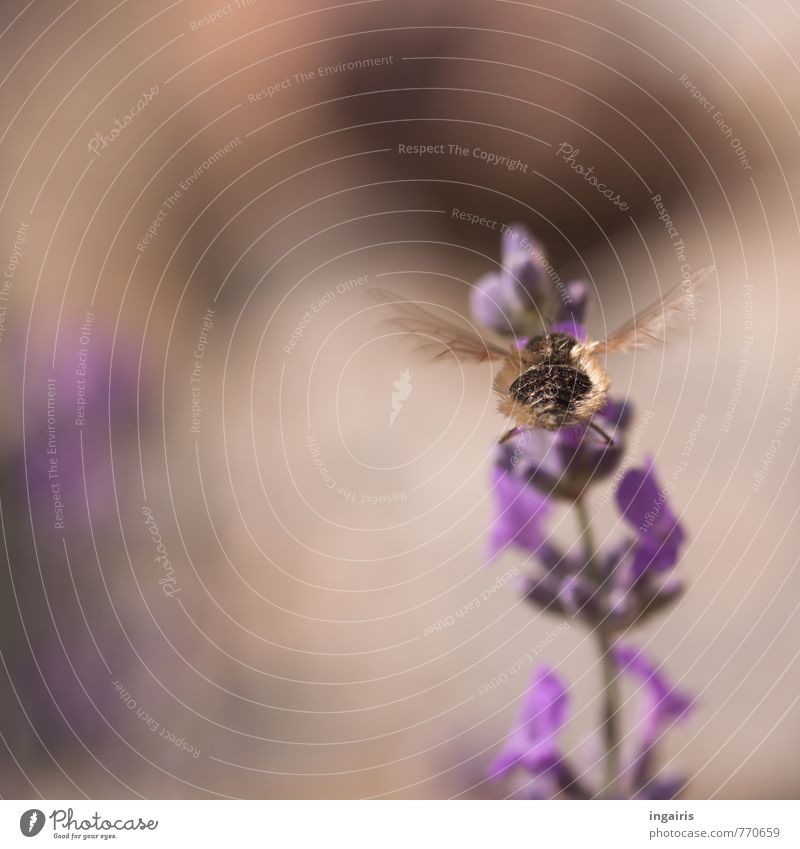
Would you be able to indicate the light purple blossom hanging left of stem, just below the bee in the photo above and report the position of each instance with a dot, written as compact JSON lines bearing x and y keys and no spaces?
{"x":521,"y":511}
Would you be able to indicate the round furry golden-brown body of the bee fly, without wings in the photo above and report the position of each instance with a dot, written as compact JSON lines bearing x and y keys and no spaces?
{"x":555,"y":381}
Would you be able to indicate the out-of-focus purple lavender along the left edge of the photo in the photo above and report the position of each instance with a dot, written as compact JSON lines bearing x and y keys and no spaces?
{"x":50,"y":487}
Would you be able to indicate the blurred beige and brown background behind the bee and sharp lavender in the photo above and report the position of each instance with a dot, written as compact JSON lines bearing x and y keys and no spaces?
{"x":222,"y":559}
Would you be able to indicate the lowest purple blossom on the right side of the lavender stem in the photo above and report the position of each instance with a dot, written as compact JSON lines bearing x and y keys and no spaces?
{"x":661,"y":704}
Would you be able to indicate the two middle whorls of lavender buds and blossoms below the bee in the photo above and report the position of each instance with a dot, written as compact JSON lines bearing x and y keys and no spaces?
{"x":625,"y":583}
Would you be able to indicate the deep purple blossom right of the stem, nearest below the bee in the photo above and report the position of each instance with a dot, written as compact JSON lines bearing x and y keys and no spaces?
{"x":642,"y":503}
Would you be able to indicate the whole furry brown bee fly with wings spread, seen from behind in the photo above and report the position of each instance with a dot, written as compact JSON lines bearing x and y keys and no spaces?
{"x":554,"y":380}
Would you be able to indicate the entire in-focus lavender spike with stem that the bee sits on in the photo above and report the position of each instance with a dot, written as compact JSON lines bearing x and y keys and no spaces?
{"x":608,"y":589}
